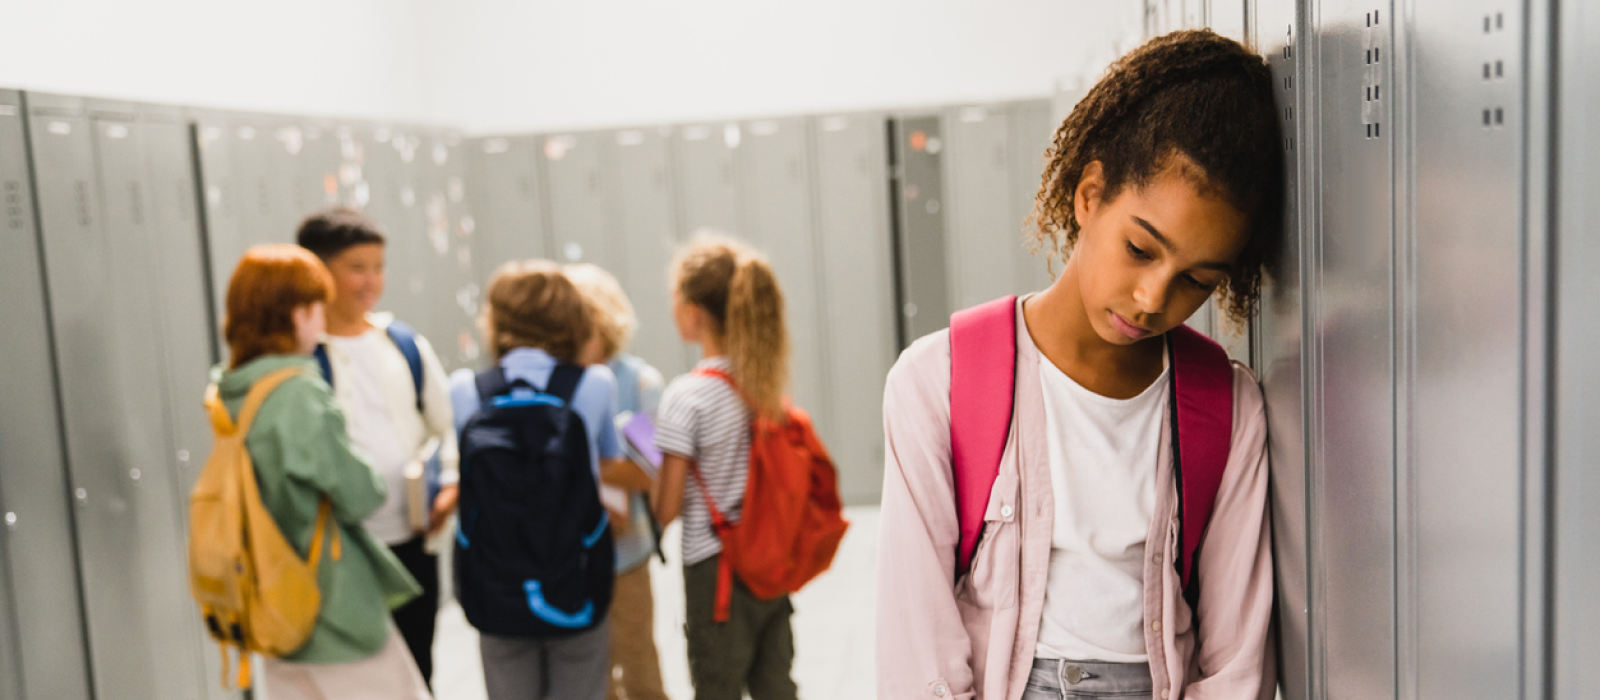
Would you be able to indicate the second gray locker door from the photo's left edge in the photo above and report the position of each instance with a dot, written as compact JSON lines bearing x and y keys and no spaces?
{"x":102,"y":280}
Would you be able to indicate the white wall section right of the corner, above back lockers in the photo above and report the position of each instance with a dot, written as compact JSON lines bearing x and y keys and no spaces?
{"x":519,"y":66}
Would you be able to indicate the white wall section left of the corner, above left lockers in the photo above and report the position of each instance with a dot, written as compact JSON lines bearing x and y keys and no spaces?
{"x":338,"y":58}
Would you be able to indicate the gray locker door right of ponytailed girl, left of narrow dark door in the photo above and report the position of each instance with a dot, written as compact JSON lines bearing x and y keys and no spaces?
{"x":858,"y":280}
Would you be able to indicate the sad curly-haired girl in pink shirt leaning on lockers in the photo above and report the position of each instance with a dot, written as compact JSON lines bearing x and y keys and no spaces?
{"x":1082,"y":562}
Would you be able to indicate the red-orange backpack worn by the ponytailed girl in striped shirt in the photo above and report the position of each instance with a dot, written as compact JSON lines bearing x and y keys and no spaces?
{"x":793,"y":517}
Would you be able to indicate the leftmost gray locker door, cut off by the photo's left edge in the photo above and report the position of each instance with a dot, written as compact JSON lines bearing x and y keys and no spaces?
{"x":44,"y":642}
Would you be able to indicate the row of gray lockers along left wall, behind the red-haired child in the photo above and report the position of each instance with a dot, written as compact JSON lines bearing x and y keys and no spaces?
{"x":110,"y":333}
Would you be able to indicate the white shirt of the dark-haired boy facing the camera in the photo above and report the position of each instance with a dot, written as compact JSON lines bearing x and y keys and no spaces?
{"x":372,"y":426}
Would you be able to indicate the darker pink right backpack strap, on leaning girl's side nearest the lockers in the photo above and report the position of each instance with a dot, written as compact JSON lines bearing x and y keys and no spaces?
{"x":1202,"y":432}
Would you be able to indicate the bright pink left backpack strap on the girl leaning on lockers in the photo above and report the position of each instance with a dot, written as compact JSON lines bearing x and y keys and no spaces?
{"x":983,"y":376}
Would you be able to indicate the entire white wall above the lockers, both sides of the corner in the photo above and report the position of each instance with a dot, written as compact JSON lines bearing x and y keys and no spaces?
{"x":526,"y":65}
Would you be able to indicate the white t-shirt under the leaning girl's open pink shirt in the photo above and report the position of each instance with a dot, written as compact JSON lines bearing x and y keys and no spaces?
{"x":1103,"y":456}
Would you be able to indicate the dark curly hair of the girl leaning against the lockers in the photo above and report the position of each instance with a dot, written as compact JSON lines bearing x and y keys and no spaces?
{"x":1191,"y":95}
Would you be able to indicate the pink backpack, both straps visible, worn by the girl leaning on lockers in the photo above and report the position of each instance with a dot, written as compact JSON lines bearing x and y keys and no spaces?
{"x":983,"y":375}
